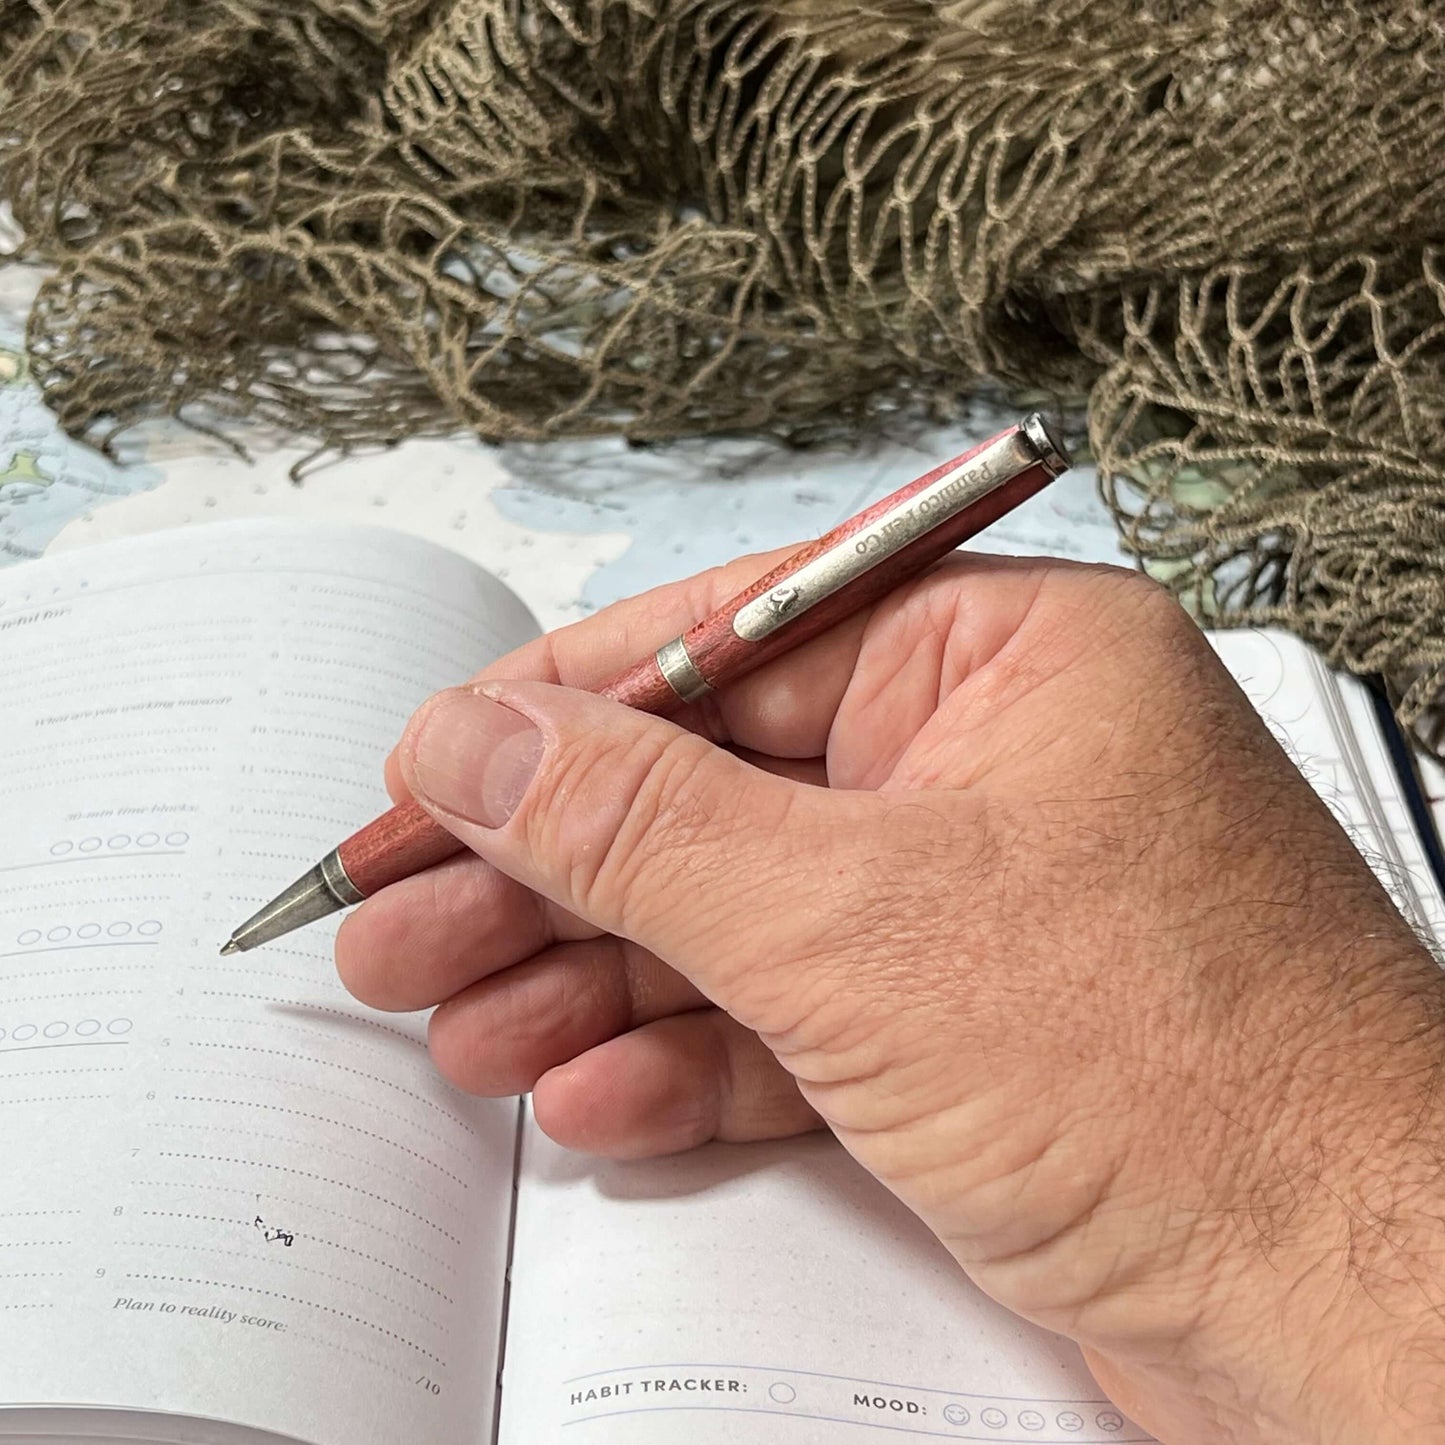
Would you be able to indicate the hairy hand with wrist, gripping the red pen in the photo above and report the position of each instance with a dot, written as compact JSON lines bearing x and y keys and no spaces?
{"x":1006,"y":885}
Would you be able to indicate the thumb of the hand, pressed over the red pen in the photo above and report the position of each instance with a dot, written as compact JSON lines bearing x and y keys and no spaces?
{"x":629,"y":821}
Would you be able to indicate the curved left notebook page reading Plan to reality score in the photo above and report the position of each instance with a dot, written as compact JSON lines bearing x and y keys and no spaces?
{"x":228,"y":1189}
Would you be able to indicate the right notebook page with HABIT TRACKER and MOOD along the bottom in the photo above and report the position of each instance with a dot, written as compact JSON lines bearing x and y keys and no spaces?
{"x":762,"y":1294}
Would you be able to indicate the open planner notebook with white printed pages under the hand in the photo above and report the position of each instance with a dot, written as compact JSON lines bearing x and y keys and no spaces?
{"x":235,"y":1203}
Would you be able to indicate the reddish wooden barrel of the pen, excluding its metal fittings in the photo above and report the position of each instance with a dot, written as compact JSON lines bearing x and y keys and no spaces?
{"x":407,"y":840}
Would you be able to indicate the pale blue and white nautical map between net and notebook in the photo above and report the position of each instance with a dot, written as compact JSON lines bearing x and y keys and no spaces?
{"x":571,"y":527}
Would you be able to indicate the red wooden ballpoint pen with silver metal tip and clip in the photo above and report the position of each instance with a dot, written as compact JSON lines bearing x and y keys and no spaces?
{"x":826,"y":582}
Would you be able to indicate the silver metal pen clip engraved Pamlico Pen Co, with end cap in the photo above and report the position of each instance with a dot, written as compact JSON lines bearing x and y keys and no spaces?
{"x":900,"y":527}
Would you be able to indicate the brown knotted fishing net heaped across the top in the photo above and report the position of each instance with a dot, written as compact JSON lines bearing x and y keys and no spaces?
{"x":359,"y":220}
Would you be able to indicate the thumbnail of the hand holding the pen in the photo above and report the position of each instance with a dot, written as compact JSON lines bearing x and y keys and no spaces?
{"x":476,"y":758}
